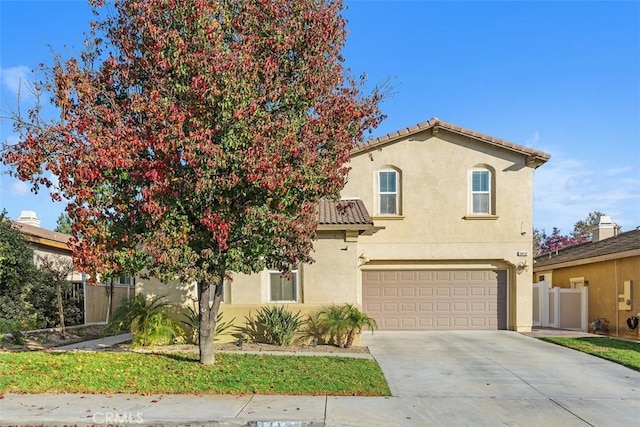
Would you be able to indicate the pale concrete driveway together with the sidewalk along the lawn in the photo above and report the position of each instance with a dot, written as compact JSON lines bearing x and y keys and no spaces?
{"x":451,"y":378}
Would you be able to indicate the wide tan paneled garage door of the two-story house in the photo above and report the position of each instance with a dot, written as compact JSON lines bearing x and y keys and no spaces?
{"x":423,"y":300}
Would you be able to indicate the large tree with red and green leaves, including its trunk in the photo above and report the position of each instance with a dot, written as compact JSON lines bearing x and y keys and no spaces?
{"x":196,"y":137}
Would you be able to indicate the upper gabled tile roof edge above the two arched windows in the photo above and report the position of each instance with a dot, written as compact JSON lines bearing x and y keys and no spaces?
{"x":534,"y":157}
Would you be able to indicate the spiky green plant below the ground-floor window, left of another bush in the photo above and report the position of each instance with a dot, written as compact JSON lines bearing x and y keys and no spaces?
{"x":280,"y":325}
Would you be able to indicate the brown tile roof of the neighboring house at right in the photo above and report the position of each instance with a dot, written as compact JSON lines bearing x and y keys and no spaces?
{"x":623,"y":242}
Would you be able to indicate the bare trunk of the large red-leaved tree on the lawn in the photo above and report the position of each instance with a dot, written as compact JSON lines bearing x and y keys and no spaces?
{"x":208,"y":315}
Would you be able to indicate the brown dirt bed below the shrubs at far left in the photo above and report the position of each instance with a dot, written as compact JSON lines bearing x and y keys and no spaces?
{"x":50,"y":338}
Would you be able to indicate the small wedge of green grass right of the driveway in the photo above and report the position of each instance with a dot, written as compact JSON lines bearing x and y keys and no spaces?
{"x":626,"y":353}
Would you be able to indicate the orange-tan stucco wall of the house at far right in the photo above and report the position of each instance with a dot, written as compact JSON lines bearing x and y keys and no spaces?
{"x":605,"y":280}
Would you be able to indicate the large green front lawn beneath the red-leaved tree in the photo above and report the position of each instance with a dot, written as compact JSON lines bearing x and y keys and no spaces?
{"x":79,"y":372}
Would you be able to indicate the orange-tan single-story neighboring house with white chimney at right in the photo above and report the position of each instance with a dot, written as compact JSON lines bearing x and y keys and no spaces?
{"x":609,"y":266}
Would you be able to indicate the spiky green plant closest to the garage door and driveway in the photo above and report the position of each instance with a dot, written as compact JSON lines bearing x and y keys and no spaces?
{"x":344,"y":322}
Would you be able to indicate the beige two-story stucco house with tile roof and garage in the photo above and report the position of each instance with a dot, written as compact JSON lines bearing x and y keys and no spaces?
{"x":435,"y":232}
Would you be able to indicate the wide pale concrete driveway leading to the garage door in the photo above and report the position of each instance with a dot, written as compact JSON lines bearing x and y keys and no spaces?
{"x":489,"y":378}
